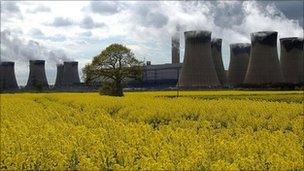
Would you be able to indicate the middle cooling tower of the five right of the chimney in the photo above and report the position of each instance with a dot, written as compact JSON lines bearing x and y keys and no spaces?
{"x":239,"y":58}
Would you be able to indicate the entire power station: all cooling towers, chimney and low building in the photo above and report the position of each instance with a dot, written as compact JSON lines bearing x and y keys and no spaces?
{"x":251,"y":64}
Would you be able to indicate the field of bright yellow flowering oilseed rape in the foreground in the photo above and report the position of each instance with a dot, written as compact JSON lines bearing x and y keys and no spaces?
{"x":200,"y":130}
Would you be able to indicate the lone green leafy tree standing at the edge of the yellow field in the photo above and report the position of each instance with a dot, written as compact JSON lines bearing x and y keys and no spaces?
{"x":112,"y":67}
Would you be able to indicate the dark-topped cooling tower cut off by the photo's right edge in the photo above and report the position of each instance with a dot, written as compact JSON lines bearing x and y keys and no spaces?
{"x":292,"y":60}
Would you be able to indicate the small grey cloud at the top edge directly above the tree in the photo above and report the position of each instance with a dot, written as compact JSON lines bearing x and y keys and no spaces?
{"x":104,"y":7}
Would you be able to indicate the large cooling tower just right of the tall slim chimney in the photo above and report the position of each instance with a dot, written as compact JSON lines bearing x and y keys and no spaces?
{"x":198,"y":69}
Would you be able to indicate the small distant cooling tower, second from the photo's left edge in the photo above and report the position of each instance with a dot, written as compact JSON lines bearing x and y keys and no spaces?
{"x":37,"y":77}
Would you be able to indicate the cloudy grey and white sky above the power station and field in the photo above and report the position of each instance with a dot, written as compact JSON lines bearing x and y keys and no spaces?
{"x":58,"y":31}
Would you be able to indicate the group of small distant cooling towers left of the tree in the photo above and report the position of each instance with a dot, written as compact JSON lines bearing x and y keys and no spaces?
{"x":67,"y":76}
